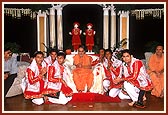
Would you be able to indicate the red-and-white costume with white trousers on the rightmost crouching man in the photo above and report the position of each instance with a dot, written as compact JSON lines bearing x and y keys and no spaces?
{"x":136,"y":78}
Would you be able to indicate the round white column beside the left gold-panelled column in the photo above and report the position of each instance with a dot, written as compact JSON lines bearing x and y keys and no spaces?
{"x":52,"y":28}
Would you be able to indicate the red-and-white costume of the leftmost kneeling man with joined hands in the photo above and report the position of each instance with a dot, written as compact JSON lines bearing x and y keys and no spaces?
{"x":34,"y":84}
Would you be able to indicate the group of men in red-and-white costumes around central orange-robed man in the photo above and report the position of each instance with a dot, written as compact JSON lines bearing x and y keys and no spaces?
{"x":51,"y":79}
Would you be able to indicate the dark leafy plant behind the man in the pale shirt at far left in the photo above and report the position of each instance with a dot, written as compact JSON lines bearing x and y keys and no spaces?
{"x":15,"y":48}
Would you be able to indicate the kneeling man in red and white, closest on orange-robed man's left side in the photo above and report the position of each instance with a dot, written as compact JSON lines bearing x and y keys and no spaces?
{"x":57,"y":90}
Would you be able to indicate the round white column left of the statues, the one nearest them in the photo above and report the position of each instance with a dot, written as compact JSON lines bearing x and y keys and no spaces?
{"x":59,"y":27}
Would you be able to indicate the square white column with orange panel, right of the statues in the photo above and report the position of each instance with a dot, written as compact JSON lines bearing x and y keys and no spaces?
{"x":124,"y":27}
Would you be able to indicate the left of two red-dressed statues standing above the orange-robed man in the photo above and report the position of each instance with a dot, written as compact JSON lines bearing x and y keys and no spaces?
{"x":76,"y":32}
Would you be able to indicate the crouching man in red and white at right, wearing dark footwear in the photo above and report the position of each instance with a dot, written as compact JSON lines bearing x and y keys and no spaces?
{"x":136,"y":80}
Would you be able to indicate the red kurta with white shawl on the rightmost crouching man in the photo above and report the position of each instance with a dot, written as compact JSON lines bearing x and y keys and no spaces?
{"x":136,"y":75}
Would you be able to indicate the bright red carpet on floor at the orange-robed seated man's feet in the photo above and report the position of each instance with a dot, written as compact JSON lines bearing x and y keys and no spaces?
{"x":93,"y":97}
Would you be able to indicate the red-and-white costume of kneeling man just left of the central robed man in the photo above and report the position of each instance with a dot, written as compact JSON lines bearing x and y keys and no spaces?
{"x":55,"y":84}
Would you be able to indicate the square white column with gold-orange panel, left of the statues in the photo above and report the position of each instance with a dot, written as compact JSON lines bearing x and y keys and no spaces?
{"x":41,"y":31}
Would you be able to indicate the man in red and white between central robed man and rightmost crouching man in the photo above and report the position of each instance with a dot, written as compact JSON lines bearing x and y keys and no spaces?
{"x":113,"y":69}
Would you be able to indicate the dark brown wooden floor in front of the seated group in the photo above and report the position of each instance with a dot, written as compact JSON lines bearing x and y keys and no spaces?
{"x":20,"y":105}
